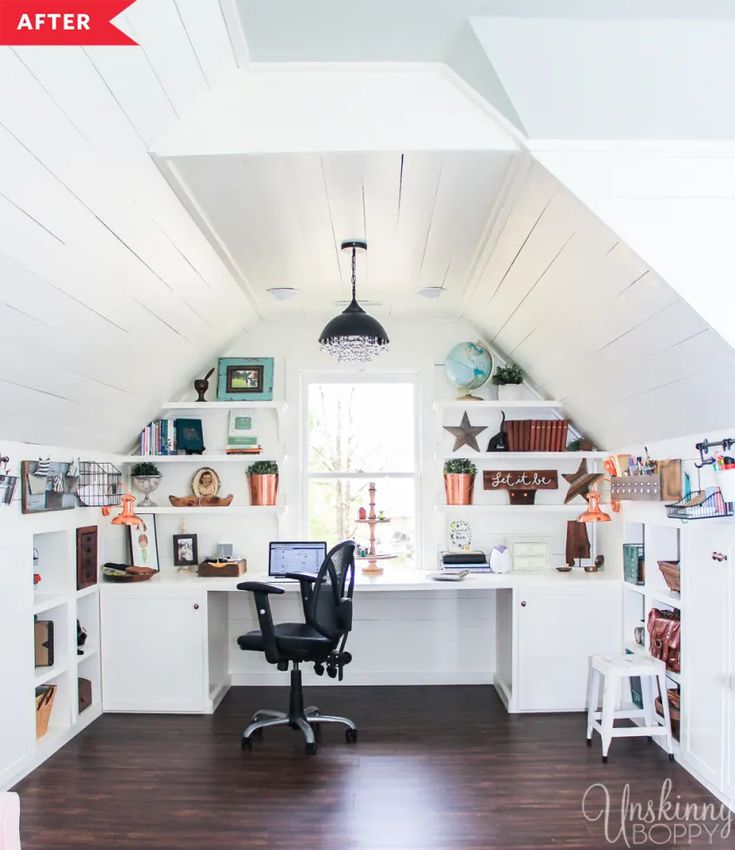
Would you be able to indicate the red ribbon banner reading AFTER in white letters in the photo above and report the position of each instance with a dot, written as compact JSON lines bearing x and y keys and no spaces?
{"x":62,"y":22}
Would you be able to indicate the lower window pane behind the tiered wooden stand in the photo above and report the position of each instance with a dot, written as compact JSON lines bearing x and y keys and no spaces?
{"x":334,"y":505}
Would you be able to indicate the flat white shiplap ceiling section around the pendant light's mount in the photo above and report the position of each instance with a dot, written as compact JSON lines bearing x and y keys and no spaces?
{"x":278,"y":221}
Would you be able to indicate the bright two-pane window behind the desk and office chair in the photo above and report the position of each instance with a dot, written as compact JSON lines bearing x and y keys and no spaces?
{"x":358,"y":431}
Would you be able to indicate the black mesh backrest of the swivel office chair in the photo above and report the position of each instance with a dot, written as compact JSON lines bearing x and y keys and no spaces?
{"x":329,"y":607}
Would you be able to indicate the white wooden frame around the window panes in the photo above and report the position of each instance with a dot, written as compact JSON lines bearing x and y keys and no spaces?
{"x":308,"y":378}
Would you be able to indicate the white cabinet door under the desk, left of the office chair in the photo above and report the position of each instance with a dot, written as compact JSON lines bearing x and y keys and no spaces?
{"x":153,"y":650}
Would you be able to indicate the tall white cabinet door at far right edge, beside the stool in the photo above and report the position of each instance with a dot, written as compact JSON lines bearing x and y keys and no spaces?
{"x":705,"y":576}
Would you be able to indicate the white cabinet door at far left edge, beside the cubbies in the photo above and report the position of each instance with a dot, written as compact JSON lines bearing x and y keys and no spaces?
{"x":16,"y":661}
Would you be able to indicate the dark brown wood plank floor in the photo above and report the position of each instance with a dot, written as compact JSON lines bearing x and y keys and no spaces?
{"x":434,"y":768}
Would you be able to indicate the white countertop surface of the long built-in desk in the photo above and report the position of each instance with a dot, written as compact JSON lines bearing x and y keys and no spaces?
{"x":394,"y":580}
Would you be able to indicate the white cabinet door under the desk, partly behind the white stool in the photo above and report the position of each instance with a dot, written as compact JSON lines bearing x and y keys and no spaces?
{"x":557,"y":633}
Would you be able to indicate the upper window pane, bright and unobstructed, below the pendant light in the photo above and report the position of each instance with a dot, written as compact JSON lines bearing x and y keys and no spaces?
{"x":361,"y":427}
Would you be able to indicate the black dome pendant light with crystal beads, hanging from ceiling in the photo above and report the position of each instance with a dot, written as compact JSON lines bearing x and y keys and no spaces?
{"x":353,"y":336}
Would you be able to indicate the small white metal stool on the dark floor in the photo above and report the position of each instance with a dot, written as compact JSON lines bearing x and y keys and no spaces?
{"x":611,"y":669}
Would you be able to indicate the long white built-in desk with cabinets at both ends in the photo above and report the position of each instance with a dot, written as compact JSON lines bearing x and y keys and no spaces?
{"x":168,"y":644}
